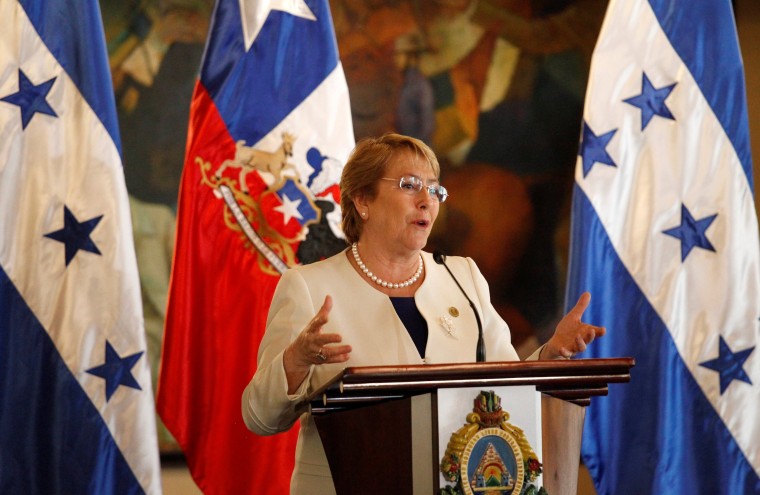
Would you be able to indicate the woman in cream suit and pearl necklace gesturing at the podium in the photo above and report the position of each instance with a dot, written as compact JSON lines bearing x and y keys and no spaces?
{"x":381,"y":301}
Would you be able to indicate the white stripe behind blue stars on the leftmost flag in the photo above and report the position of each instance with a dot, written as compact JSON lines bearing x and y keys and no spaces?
{"x":71,"y":160}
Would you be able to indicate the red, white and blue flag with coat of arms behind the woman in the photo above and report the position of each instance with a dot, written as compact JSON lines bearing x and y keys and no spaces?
{"x":270,"y":128}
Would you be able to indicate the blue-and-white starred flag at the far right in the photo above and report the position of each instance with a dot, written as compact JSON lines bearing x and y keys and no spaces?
{"x":665,"y":236}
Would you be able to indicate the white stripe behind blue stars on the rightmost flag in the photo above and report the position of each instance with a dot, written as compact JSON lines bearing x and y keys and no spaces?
{"x":641,"y":197}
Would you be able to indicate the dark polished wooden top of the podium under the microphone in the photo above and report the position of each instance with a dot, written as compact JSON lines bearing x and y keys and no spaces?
{"x":575,"y":380}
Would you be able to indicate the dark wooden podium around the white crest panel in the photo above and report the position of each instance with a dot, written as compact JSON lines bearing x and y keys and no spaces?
{"x":378,"y":424}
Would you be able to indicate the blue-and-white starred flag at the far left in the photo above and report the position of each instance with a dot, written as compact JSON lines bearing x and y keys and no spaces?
{"x":76,"y":406}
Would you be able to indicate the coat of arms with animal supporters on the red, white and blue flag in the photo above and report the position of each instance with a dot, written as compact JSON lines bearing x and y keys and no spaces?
{"x":280,"y":211}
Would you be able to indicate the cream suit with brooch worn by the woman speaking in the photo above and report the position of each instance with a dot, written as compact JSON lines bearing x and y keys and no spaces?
{"x":366,"y":319}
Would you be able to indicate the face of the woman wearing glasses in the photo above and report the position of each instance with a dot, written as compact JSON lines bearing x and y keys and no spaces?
{"x":398,"y":220}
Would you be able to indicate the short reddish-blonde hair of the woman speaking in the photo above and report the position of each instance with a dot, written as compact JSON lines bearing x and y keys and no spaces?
{"x":367,"y":164}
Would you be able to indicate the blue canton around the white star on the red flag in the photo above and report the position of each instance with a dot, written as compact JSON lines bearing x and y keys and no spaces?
{"x":255,"y":89}
